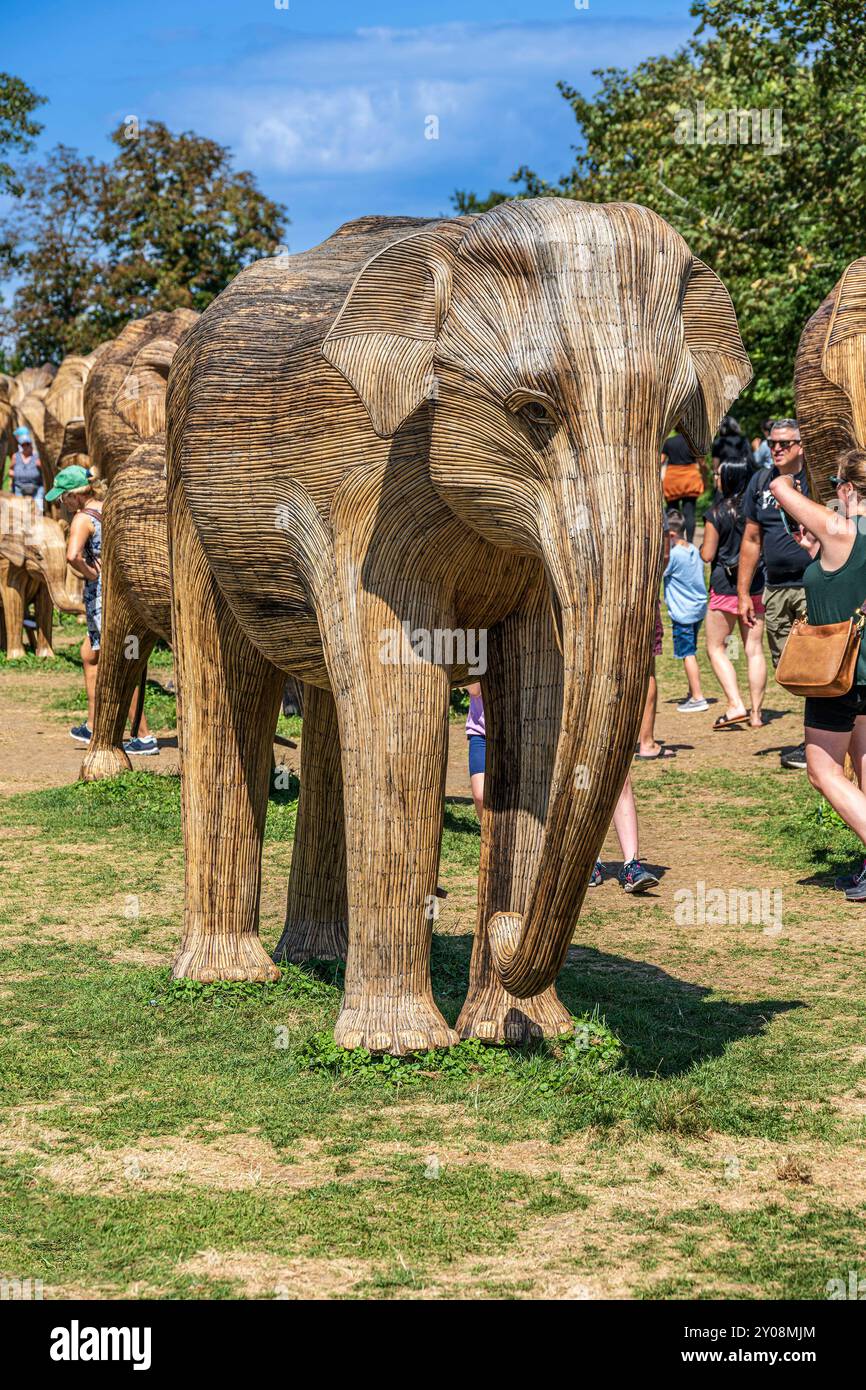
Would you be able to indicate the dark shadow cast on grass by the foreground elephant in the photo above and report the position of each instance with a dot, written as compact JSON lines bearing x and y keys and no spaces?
{"x":667,"y":1025}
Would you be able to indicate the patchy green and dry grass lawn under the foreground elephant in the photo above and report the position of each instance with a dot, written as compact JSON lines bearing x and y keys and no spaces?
{"x":690,"y":1043}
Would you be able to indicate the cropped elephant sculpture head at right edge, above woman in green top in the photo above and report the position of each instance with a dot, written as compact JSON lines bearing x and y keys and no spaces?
{"x":831,"y":380}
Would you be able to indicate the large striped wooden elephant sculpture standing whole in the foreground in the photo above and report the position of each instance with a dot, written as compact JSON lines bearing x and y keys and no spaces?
{"x":429,"y":430}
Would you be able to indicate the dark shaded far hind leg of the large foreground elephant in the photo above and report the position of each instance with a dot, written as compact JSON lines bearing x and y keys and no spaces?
{"x":316,"y":925}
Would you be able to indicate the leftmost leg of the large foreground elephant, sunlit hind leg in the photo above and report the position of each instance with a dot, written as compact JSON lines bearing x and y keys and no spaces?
{"x":229,"y":704}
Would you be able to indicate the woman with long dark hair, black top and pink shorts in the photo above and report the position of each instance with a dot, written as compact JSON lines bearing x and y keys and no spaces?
{"x":724,"y":529}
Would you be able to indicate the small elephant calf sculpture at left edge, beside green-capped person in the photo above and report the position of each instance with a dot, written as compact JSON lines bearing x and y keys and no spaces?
{"x":33,"y":571}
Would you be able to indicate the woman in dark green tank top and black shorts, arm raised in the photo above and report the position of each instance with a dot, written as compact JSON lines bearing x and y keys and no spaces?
{"x":836,"y":589}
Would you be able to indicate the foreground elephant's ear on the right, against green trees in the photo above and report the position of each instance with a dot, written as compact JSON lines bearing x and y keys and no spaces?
{"x":721,"y":361}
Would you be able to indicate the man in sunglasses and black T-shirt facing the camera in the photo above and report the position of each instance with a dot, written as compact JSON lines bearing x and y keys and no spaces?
{"x":768,"y":536}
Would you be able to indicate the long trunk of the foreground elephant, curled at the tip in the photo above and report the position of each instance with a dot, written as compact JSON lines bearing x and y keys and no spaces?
{"x":604,"y":573}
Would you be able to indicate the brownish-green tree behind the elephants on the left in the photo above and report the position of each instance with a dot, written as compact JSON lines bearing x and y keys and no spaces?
{"x":166,"y":224}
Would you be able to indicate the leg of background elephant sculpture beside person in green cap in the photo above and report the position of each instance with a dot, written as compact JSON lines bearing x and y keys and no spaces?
{"x":126,"y":644}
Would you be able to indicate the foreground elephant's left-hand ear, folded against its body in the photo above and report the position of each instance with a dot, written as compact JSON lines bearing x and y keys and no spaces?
{"x":384,"y":338}
